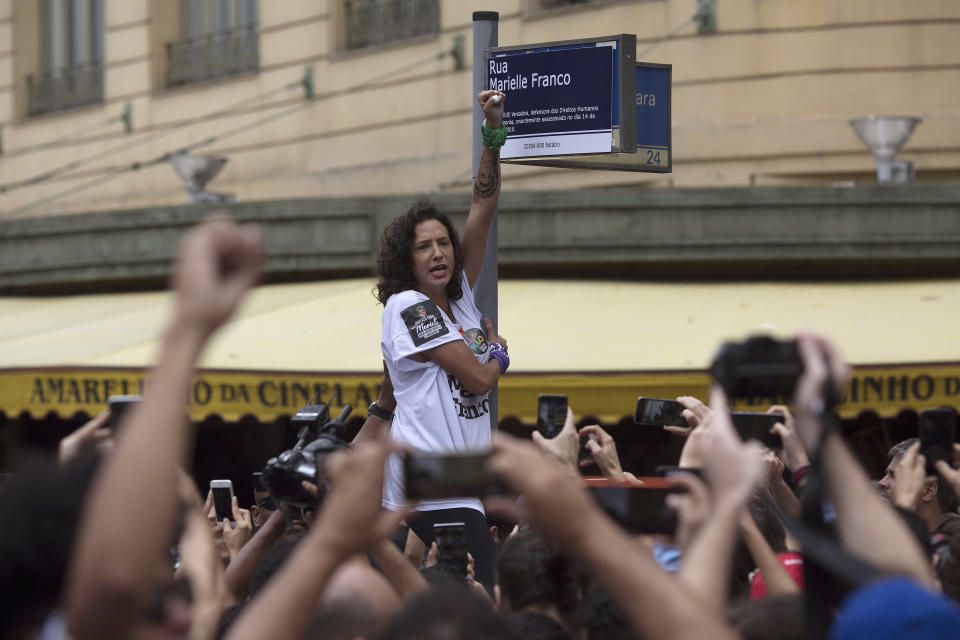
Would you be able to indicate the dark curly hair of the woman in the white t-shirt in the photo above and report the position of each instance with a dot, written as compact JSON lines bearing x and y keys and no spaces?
{"x":395,"y":254}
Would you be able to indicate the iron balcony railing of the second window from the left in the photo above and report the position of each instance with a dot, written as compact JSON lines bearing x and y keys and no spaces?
{"x":213,"y":55}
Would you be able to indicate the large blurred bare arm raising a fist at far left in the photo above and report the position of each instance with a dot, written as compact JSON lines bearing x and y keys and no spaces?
{"x":130,"y":511}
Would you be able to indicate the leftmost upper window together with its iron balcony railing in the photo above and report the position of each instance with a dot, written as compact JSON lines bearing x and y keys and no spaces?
{"x":71,"y":56}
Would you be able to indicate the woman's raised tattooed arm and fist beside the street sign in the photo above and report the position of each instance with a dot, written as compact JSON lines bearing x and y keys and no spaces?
{"x":486,"y":191}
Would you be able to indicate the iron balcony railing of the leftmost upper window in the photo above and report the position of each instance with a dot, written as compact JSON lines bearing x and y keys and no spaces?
{"x":65,"y":88}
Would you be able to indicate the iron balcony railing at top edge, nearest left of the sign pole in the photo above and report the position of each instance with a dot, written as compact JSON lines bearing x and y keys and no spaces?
{"x":374,"y":22}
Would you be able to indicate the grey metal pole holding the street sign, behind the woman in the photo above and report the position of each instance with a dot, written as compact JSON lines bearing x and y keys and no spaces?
{"x":485,"y":35}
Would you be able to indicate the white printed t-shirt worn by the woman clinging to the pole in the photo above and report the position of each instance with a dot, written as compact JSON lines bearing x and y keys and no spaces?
{"x":435,"y":412}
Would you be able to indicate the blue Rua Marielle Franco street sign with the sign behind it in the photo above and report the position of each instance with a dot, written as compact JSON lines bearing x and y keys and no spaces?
{"x":583,"y":104}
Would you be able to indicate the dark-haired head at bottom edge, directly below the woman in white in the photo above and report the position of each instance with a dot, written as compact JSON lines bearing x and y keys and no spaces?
{"x":449,"y":614}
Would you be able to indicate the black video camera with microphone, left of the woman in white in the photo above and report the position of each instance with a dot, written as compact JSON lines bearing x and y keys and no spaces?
{"x":318,"y":437}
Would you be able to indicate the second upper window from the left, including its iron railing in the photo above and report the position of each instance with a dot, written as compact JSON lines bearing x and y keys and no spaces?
{"x":218,"y":38}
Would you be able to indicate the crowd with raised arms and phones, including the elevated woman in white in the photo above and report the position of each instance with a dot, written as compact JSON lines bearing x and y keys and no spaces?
{"x":113,"y":539}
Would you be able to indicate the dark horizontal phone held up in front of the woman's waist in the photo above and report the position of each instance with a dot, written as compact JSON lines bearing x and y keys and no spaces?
{"x":436,"y":476}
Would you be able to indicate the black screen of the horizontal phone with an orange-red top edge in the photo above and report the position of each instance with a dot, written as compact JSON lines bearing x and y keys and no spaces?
{"x":638,"y":510}
